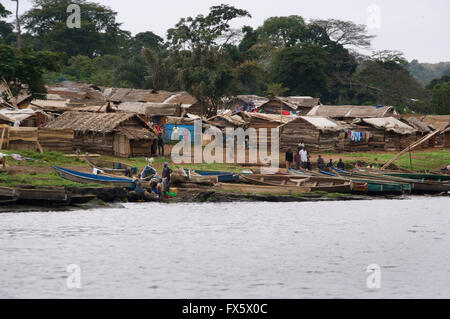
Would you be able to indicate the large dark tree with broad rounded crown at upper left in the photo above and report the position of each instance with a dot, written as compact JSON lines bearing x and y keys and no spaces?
{"x":99,"y":33}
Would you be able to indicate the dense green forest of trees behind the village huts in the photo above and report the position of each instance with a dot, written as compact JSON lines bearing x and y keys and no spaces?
{"x":206,"y":57}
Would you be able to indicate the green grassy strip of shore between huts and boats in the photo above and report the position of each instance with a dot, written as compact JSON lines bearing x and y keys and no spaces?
{"x":39,"y":171}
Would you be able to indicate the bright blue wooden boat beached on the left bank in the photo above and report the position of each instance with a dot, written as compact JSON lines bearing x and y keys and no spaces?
{"x":86,"y":178}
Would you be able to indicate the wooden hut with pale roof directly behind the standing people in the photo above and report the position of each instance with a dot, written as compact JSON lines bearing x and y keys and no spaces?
{"x":319,"y":134}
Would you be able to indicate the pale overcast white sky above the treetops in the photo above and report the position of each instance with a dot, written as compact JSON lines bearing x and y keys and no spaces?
{"x":420,"y":29}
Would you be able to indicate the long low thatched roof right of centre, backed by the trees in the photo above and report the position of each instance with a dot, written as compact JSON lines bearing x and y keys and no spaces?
{"x":352,"y":111}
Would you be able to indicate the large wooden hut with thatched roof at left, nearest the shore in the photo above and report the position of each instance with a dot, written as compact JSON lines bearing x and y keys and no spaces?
{"x":116,"y":134}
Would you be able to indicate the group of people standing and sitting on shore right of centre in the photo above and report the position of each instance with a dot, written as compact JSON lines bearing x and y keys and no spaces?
{"x":301,"y":159}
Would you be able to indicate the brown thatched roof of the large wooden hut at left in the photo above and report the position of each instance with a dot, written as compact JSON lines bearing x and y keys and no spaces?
{"x":99,"y":123}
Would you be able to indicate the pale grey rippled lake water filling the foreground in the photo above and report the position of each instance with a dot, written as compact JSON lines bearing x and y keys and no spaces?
{"x":230,"y":250}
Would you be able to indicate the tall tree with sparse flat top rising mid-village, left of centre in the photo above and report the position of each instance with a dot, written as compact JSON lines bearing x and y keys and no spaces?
{"x":199,"y":49}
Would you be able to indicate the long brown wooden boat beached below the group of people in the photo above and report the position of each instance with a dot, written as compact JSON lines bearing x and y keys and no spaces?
{"x":314,"y":183}
